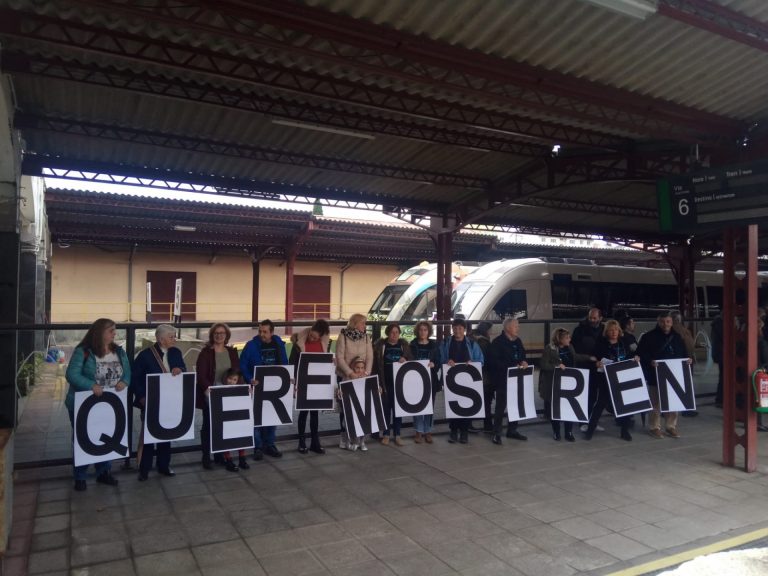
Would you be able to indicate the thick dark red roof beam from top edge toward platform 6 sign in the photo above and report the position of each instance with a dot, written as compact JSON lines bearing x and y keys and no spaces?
{"x":351,"y":42}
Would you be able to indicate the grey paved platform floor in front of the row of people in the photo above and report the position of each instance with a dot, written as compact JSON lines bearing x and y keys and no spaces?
{"x":536,"y":507}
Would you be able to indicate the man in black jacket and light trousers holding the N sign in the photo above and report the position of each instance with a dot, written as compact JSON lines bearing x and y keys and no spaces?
{"x":661,"y":343}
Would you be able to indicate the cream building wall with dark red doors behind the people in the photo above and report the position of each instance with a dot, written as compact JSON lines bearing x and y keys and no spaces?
{"x":89,"y":282}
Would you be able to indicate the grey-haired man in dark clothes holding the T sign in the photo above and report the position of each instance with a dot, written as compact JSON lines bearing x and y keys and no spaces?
{"x":506,"y":351}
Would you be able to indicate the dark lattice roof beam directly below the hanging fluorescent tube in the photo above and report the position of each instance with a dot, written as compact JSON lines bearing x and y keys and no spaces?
{"x":240,"y":150}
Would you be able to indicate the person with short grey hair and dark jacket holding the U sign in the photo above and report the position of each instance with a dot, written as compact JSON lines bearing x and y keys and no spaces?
{"x":161,"y":357}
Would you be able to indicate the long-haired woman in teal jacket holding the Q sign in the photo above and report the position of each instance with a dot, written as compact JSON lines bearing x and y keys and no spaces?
{"x":97,"y":365}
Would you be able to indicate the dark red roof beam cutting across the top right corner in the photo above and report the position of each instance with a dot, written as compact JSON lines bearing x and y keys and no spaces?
{"x":719,"y":20}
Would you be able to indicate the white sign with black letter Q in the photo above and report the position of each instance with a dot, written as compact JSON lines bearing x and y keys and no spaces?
{"x":100,"y":426}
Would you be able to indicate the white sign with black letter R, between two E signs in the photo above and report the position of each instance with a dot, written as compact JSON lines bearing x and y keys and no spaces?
{"x":272,"y":395}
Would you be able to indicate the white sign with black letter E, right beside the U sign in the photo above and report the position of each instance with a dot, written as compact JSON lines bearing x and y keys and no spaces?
{"x":231,"y":417}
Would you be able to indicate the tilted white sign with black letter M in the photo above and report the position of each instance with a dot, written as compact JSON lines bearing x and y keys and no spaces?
{"x":362,"y":406}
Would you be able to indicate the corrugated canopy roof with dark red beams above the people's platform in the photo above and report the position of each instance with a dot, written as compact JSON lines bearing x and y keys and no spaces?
{"x":446,"y":109}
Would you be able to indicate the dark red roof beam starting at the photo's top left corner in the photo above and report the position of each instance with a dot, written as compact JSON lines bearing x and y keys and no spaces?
{"x":220,"y":65}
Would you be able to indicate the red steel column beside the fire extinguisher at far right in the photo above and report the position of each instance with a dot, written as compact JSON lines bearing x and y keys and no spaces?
{"x":739,"y":344}
